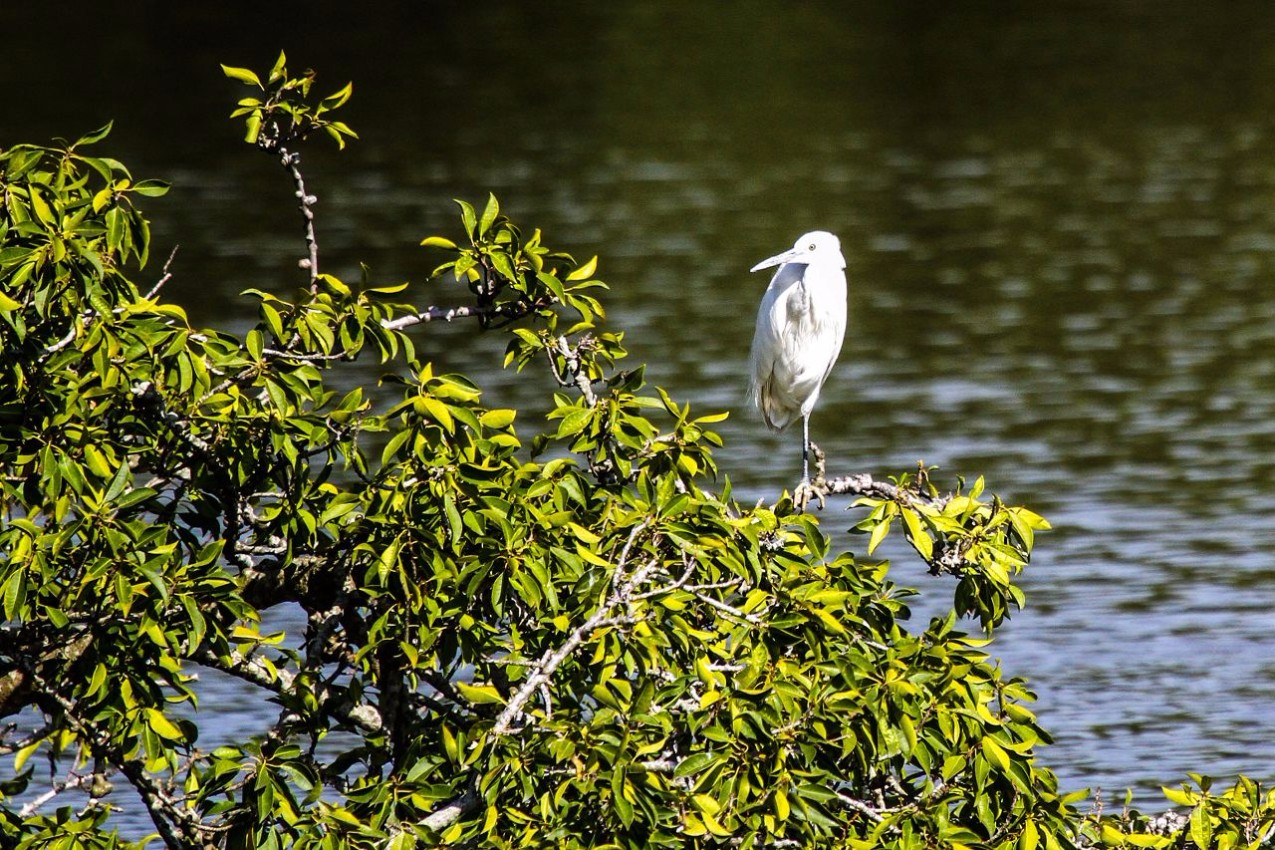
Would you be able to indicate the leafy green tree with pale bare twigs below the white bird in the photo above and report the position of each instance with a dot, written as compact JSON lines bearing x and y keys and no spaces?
{"x":517,"y":634}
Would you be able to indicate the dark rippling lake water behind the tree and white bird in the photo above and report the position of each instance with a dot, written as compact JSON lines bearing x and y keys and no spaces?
{"x":1060,"y":233}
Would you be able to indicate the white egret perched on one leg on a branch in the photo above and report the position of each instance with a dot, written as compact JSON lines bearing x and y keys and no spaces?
{"x":801,"y":326}
